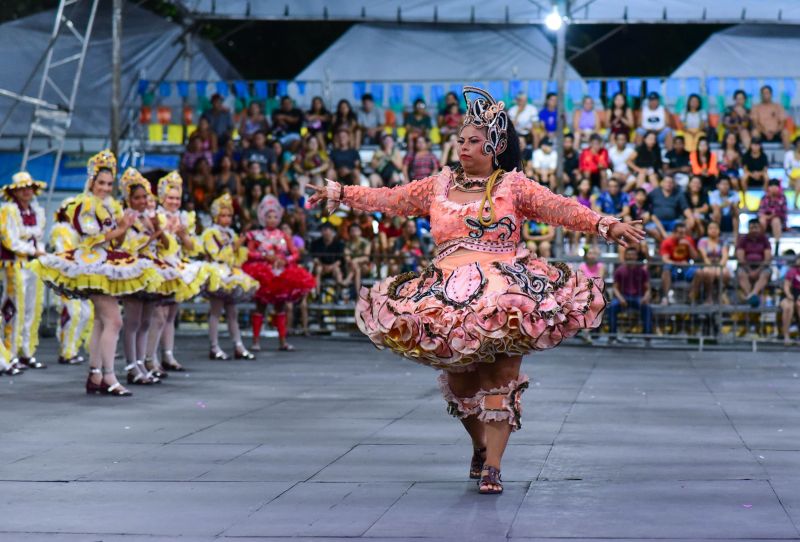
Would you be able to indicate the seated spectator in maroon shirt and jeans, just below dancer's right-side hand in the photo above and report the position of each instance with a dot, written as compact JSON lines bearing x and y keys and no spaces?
{"x":631,"y":290}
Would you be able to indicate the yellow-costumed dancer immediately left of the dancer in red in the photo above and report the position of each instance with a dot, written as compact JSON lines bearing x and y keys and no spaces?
{"x":228,"y":285}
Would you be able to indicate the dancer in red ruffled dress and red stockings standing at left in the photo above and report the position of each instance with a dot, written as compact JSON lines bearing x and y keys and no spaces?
{"x":272,"y":261}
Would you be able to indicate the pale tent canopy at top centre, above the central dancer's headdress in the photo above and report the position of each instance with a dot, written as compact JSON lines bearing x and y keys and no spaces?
{"x":424,"y":57}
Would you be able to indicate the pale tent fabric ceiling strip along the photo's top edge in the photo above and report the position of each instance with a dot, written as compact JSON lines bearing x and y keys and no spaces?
{"x":502,"y":11}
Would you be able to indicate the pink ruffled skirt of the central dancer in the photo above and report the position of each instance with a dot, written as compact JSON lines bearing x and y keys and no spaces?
{"x":471,"y":307}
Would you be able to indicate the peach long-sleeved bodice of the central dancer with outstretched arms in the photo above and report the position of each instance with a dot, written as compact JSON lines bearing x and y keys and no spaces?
{"x":457,"y":225}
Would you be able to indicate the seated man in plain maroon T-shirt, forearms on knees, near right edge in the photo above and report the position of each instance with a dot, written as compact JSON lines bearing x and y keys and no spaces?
{"x":754,"y":254}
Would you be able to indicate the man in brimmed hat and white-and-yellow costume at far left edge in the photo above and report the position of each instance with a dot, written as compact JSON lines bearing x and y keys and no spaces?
{"x":22,"y":224}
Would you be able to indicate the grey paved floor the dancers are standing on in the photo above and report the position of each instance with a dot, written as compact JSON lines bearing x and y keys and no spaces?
{"x":339,"y":441}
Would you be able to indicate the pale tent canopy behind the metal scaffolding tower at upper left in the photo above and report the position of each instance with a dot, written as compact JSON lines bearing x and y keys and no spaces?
{"x":150,"y":44}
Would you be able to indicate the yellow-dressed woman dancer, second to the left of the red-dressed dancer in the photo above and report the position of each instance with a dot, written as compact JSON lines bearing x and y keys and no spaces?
{"x":180,"y":242}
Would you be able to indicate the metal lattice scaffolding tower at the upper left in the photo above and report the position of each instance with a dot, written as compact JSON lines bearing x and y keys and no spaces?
{"x":53,"y":105}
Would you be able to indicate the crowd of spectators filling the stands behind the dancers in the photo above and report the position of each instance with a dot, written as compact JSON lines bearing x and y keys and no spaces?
{"x":649,"y":164}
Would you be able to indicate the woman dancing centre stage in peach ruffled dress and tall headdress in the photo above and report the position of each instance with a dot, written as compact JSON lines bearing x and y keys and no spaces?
{"x":483,"y":303}
